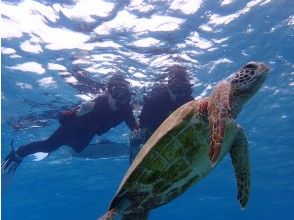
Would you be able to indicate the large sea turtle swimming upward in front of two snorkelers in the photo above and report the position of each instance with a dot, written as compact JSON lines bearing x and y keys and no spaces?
{"x":188,"y":145}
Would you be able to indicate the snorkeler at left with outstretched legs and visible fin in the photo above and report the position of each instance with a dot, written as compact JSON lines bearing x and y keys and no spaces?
{"x":79,"y":125}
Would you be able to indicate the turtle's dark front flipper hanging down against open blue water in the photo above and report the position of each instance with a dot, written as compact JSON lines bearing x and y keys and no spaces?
{"x":240,"y":160}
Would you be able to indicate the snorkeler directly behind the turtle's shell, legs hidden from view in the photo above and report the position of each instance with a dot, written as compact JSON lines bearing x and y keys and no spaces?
{"x":159,"y":104}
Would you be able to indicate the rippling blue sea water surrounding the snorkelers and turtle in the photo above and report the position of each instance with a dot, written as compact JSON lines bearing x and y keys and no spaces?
{"x":45,"y":43}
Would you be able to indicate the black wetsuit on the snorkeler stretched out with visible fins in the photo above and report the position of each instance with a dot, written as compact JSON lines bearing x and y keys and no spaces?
{"x":79,"y":131}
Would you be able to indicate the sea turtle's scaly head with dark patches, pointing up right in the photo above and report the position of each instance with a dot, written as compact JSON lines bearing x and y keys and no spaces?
{"x":246,"y":82}
